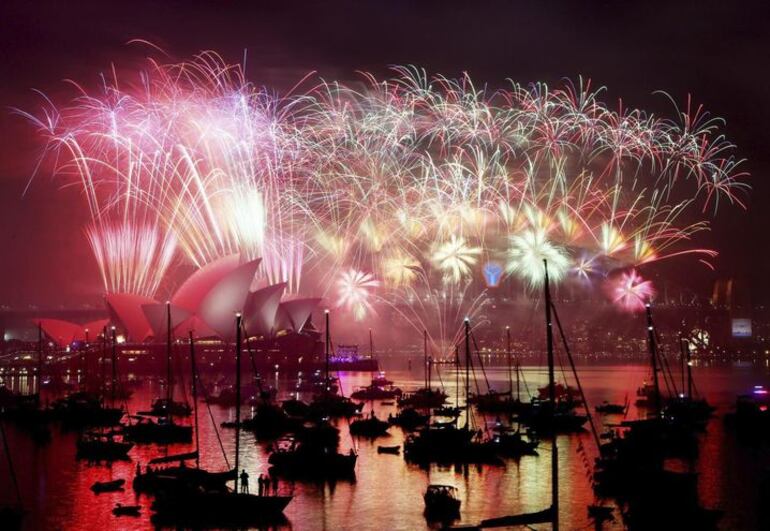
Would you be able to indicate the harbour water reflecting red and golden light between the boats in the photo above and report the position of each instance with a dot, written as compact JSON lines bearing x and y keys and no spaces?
{"x":387,"y":492}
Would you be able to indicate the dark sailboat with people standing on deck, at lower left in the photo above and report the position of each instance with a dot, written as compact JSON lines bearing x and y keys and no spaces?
{"x":202,"y":504}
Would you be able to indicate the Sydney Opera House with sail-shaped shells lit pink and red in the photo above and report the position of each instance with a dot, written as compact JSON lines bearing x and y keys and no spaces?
{"x":205,"y":305}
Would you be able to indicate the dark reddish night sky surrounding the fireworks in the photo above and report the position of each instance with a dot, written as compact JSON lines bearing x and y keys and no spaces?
{"x":718,"y":51}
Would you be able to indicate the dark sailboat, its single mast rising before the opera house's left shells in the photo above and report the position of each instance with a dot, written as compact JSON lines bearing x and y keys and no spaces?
{"x":164,"y":430}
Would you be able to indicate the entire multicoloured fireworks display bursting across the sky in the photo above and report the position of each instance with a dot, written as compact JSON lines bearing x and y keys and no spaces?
{"x":426,"y":182}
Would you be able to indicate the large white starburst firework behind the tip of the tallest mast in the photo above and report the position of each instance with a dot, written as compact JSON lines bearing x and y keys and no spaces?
{"x":526,"y":255}
